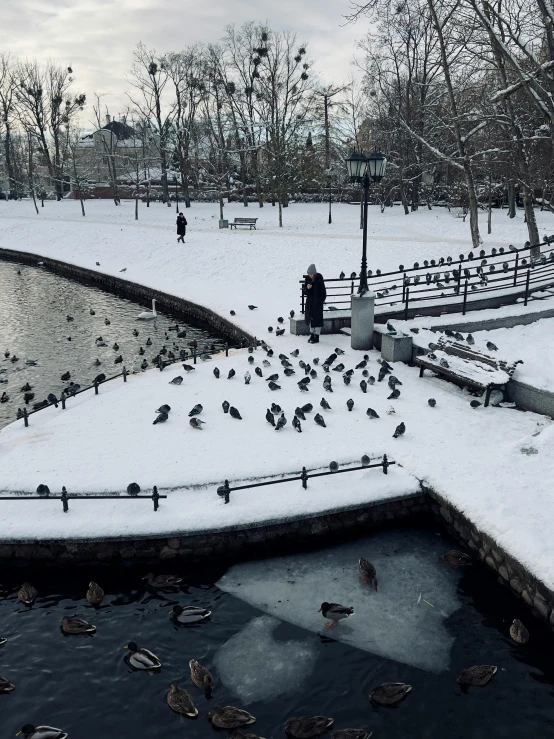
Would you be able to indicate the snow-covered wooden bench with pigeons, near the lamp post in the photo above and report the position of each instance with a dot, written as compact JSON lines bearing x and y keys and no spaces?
{"x":467,"y":366}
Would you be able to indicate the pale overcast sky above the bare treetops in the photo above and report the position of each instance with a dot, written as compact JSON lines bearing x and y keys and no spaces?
{"x":97,"y":37}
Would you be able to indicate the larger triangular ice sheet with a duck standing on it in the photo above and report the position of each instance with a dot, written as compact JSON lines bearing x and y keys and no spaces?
{"x":404,"y":621}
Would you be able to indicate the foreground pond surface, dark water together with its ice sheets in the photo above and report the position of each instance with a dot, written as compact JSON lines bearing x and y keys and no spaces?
{"x":425,"y":614}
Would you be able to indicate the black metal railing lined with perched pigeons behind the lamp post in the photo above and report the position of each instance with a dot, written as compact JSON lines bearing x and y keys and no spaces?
{"x":443,"y":280}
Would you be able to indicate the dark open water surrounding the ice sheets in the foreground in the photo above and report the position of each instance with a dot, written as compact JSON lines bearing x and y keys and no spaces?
{"x":83,"y":685}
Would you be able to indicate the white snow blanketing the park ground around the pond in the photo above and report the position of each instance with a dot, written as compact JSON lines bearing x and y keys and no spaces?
{"x":475,"y":459}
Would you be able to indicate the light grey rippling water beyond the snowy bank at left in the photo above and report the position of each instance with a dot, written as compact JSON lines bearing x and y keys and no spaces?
{"x":34,"y":306}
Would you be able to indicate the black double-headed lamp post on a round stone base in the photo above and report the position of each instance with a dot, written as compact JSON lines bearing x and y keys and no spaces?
{"x":361,"y":169}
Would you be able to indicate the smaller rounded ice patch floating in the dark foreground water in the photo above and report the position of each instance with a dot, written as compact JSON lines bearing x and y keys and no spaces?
{"x":256,"y":666}
